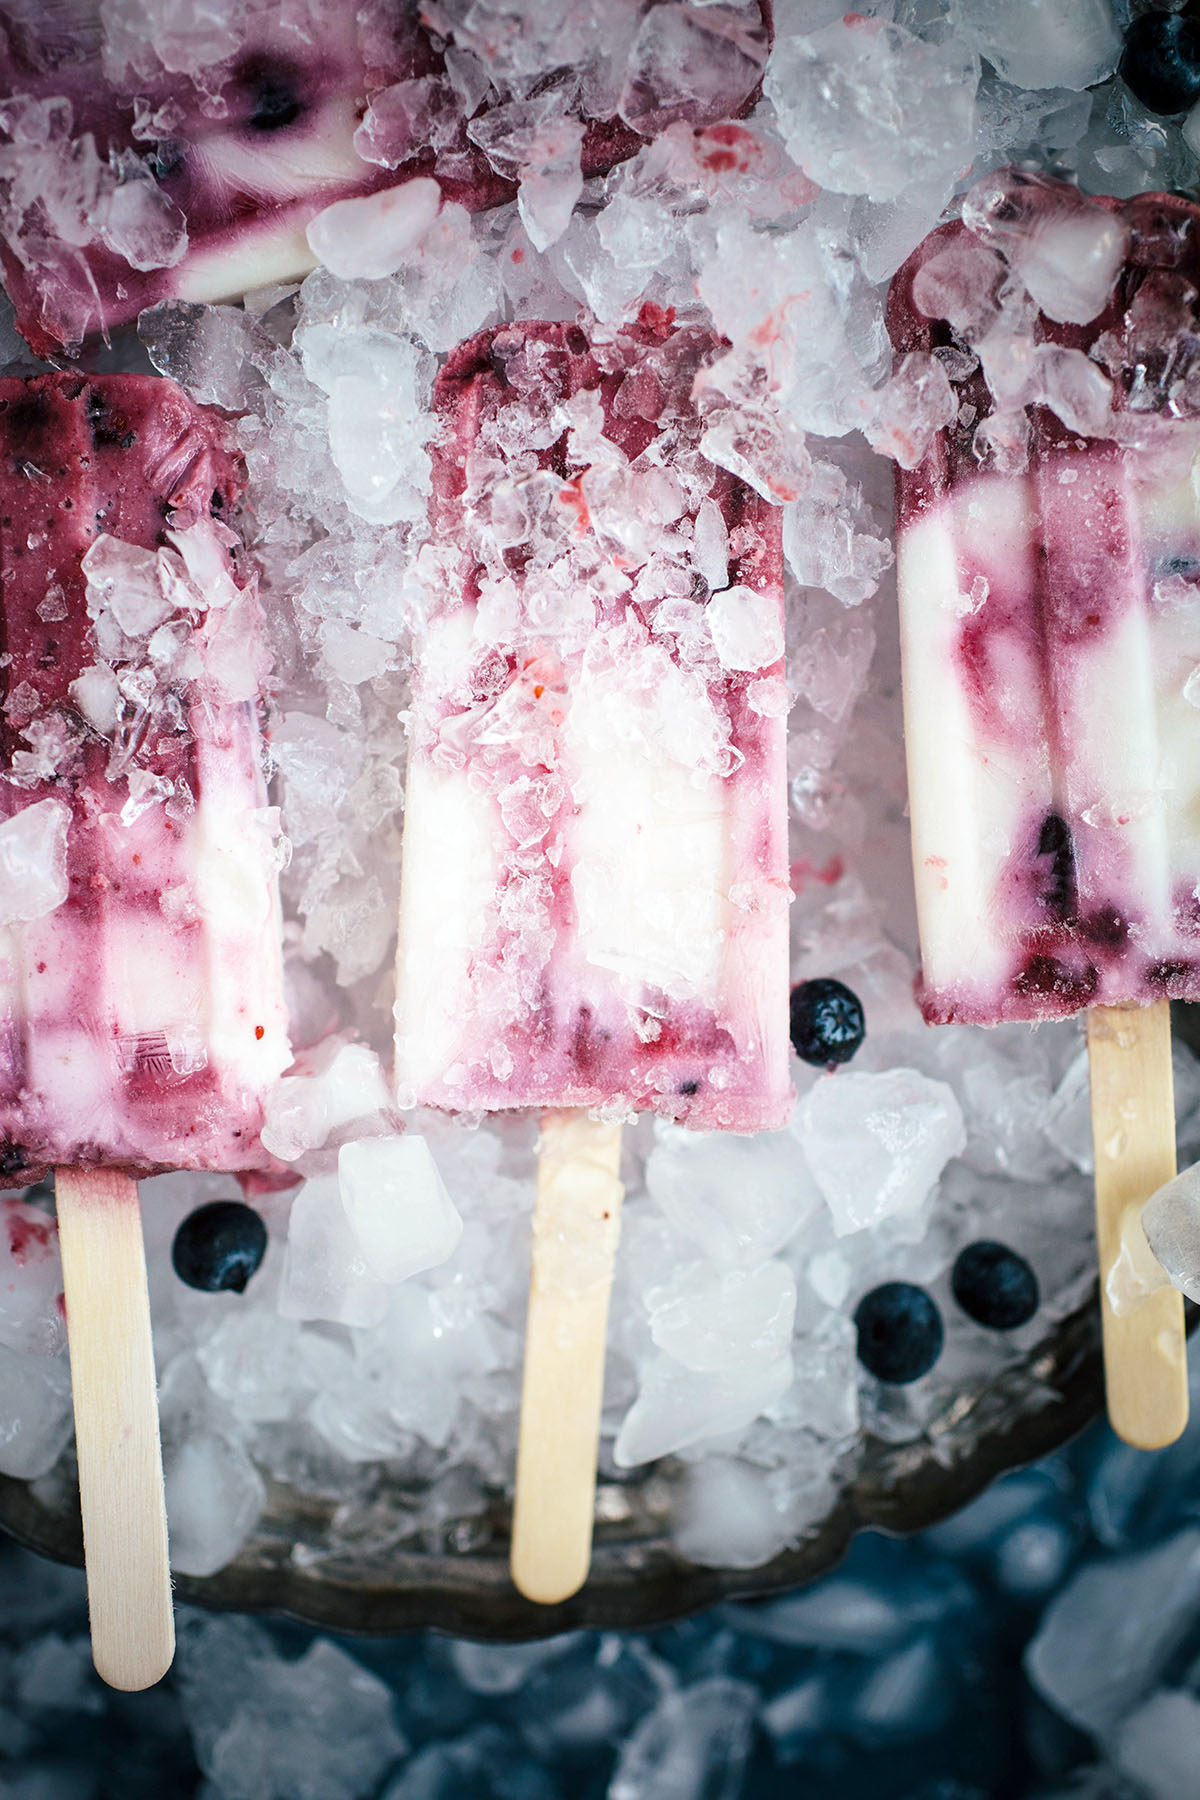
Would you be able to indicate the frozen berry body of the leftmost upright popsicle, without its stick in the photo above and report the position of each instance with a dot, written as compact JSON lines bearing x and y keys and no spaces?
{"x":141,"y":1016}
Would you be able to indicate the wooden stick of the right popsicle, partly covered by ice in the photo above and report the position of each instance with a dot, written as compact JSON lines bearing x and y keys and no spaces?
{"x":1134,"y":1146}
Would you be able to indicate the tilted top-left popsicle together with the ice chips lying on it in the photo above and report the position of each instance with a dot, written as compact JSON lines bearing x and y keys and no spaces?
{"x":186,"y":157}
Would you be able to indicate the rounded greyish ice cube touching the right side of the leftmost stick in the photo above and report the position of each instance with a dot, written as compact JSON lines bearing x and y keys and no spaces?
{"x":215,"y":1500}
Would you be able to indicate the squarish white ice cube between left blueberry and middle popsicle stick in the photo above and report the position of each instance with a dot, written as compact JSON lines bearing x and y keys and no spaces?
{"x":397,"y":1205}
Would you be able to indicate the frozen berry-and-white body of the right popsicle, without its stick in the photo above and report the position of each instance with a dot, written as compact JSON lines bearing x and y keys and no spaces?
{"x":1052,"y":622}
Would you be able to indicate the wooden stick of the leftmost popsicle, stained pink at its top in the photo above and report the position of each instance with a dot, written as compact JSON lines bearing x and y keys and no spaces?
{"x":112,"y":1378}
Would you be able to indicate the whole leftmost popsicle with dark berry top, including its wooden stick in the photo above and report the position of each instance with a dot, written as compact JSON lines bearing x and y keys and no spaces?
{"x":141,"y":993}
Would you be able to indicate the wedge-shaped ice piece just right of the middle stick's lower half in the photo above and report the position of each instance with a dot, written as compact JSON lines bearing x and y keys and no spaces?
{"x":677,"y":1407}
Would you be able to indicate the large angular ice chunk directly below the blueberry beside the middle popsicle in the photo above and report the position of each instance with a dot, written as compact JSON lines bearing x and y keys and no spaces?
{"x":877,"y":1144}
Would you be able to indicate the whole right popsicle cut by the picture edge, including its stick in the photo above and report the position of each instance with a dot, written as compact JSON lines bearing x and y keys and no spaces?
{"x":1050,"y":559}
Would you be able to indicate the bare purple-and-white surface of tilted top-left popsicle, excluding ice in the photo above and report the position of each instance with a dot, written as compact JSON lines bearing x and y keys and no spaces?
{"x":244,"y":174}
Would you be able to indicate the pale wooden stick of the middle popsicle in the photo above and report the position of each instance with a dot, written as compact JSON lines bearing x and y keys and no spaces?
{"x":575,"y":1241}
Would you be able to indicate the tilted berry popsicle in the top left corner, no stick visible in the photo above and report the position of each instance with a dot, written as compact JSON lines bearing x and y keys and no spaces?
{"x":123,"y":186}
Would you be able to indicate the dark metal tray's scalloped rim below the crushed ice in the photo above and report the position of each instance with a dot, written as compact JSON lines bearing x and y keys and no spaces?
{"x":638,"y":1578}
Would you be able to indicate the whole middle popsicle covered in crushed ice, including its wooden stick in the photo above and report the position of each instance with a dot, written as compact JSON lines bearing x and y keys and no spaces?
{"x":595,"y":892}
